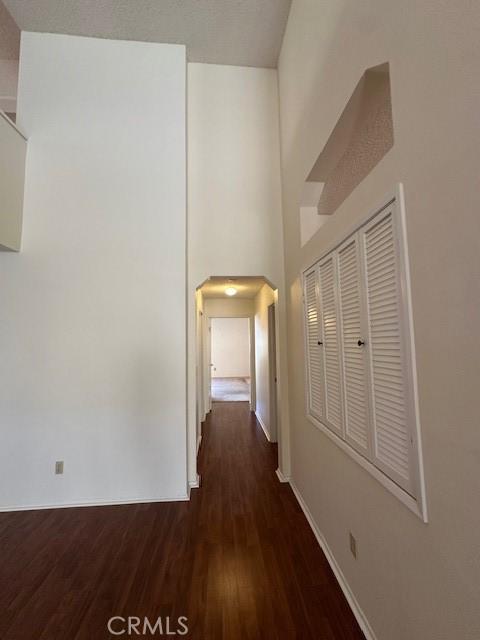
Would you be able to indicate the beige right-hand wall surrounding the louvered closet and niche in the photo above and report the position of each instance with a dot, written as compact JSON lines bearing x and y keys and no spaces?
{"x":413,"y":581}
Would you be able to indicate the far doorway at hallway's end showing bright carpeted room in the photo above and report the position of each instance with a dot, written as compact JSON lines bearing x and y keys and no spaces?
{"x":230,"y":359}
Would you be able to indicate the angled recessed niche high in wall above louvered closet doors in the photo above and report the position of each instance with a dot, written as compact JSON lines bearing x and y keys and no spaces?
{"x":360,"y":139}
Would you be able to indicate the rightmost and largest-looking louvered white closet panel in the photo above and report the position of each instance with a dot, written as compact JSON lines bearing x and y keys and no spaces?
{"x":386,"y":343}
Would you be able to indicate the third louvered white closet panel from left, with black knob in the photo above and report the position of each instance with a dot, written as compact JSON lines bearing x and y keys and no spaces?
{"x":354,"y":355}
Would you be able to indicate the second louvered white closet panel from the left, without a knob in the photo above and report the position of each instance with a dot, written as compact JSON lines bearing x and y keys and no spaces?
{"x":331,"y":350}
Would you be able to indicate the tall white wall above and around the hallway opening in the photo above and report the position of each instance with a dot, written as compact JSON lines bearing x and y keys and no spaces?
{"x":234,"y":192}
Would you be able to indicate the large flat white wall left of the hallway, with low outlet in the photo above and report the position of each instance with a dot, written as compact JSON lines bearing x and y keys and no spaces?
{"x":92,"y":331}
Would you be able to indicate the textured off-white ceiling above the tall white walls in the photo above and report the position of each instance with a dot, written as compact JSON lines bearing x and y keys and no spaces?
{"x":237,"y":32}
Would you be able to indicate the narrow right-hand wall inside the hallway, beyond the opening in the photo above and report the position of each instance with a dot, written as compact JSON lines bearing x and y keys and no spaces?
{"x":263,"y":299}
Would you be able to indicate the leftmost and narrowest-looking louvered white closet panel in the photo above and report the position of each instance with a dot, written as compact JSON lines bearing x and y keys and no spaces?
{"x":315,"y":379}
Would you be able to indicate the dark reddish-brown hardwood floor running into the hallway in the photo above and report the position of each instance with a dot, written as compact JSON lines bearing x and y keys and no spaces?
{"x":239,"y":560}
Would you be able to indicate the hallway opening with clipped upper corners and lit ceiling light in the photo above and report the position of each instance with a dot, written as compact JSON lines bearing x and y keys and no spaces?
{"x":237,"y":351}
